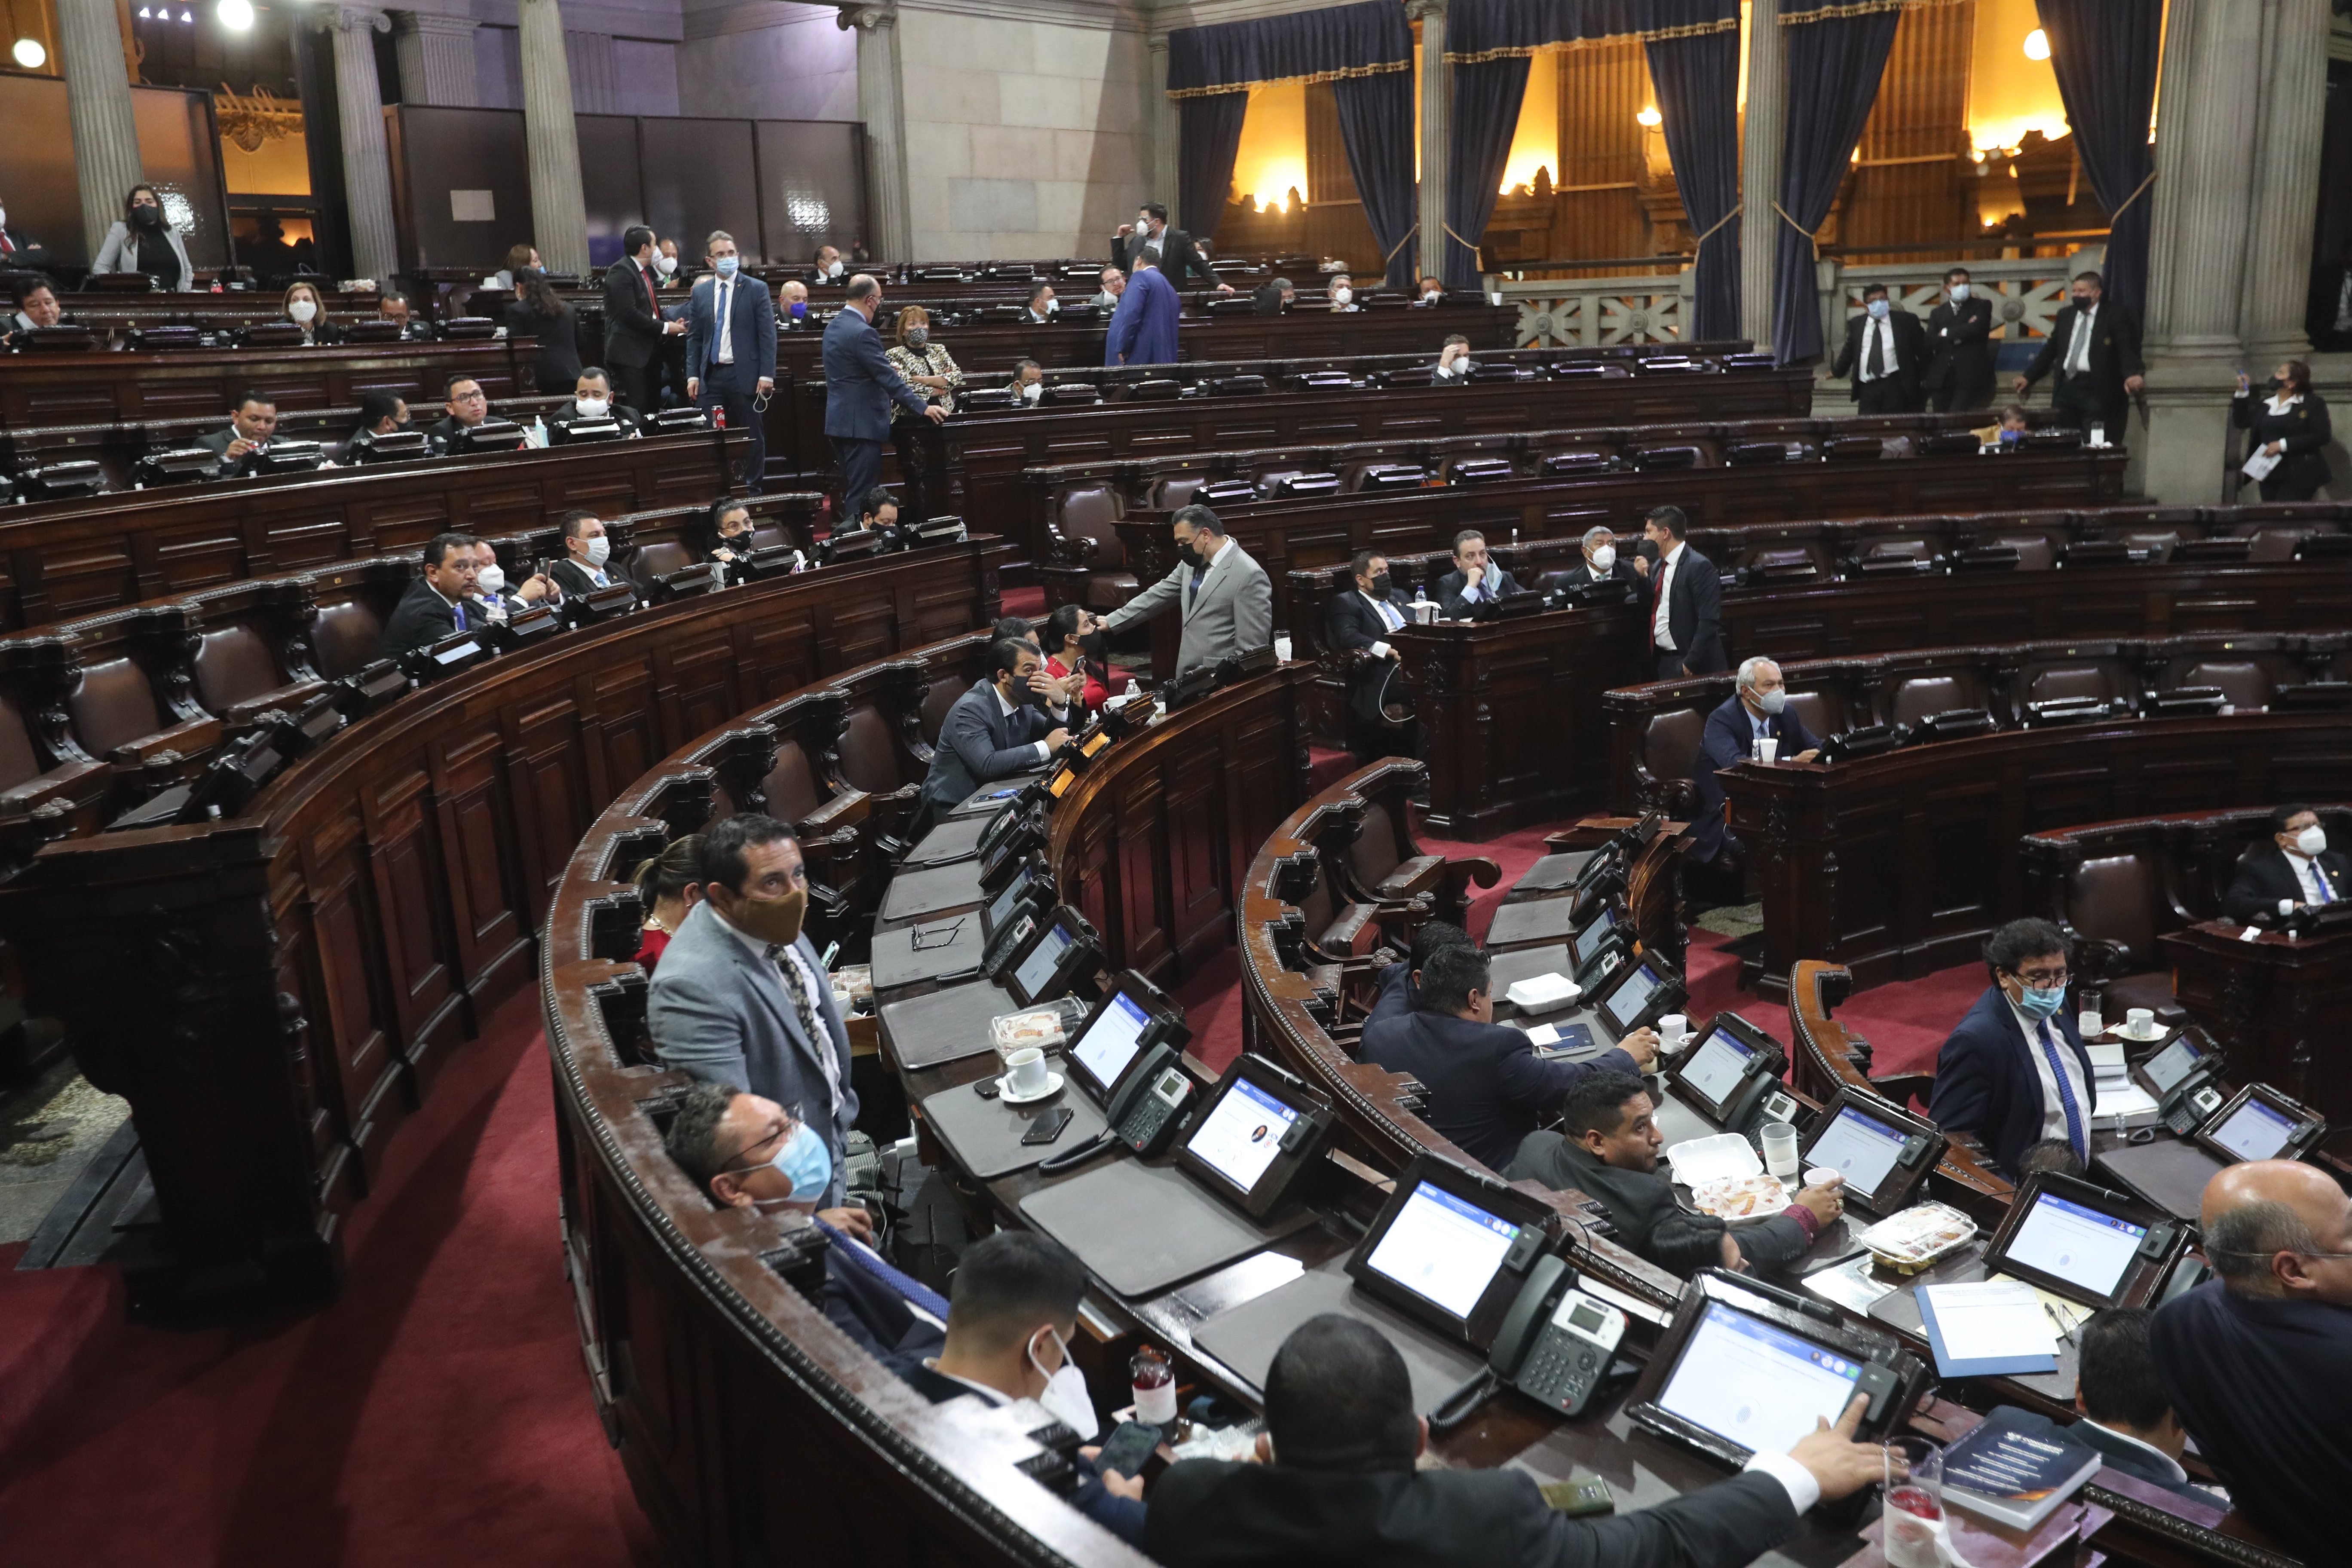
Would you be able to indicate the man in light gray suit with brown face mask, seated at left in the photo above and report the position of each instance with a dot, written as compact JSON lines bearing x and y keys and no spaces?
{"x":740,"y":996}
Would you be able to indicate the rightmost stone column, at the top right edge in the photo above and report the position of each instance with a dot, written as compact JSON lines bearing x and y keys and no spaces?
{"x":2285,"y":185}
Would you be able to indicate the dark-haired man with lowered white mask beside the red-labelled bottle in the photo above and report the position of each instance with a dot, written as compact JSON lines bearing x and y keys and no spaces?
{"x":1010,"y":1329}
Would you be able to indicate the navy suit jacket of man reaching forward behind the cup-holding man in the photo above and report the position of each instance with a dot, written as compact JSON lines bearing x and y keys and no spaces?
{"x":1485,"y":1085}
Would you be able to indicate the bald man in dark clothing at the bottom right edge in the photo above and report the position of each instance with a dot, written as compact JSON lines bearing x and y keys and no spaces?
{"x":2259,"y":1362}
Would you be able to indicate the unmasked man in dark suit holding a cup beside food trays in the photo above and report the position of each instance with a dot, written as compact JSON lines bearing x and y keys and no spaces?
{"x":1608,"y":1148}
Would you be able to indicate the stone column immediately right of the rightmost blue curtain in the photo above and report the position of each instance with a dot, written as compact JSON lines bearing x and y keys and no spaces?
{"x":2207,"y":130}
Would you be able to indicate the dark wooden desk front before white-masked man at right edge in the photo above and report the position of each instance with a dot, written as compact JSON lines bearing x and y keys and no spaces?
{"x":2280,"y":1007}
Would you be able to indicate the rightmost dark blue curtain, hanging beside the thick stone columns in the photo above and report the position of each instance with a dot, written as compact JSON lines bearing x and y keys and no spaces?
{"x":2106,"y":62}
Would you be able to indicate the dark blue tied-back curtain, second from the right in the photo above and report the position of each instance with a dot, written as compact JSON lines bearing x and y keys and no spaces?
{"x":1833,"y":79}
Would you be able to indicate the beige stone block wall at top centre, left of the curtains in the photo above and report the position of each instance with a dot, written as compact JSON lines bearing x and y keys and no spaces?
{"x":1022,"y":138}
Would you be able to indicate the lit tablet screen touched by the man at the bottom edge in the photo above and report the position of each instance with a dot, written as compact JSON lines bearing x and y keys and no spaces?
{"x":1756,"y":1383}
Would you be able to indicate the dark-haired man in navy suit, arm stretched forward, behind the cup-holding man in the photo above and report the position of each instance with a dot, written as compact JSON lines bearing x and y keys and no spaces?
{"x":1488,"y":1090}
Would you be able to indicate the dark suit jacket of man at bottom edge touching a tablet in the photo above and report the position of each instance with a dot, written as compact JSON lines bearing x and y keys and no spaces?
{"x":1222,"y":1515}
